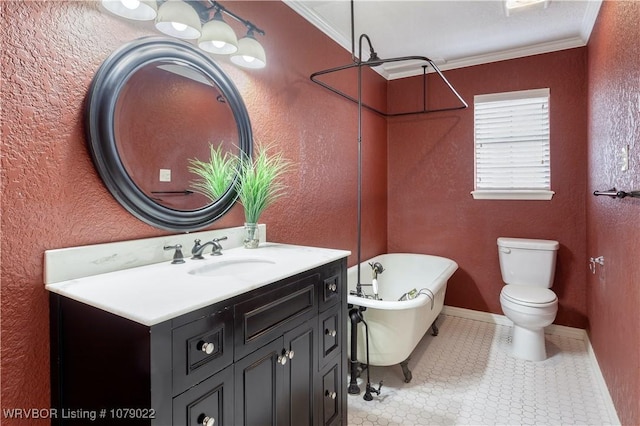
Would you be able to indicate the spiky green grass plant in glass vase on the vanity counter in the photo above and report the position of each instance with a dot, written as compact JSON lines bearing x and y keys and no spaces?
{"x":258,"y":186}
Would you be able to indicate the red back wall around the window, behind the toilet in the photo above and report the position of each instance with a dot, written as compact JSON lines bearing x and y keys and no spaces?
{"x":431,"y":177}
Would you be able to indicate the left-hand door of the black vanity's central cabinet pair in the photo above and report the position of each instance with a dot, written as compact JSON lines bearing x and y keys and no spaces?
{"x":259,"y":386}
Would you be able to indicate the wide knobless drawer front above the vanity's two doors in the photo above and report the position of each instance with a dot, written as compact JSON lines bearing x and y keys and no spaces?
{"x":267,"y":316}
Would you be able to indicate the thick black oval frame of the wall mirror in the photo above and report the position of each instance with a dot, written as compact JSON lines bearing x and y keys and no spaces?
{"x":99,"y":126}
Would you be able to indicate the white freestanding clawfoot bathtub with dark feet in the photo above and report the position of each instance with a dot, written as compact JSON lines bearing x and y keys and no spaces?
{"x":396,"y":326}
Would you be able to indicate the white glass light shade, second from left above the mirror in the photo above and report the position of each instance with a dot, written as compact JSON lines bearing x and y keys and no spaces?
{"x":177,"y":19}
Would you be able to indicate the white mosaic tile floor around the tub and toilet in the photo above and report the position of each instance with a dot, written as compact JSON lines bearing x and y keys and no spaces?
{"x":465,"y":376}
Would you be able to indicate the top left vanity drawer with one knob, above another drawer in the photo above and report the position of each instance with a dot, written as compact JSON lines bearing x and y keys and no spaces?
{"x":201,"y":348}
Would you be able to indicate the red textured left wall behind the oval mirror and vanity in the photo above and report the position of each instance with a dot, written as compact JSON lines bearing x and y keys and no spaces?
{"x":53,"y":198}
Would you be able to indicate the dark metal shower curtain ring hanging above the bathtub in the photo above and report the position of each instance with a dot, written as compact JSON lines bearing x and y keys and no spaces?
{"x":375,"y":62}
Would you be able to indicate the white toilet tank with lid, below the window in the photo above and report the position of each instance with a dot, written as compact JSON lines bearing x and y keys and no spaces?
{"x":527,"y":261}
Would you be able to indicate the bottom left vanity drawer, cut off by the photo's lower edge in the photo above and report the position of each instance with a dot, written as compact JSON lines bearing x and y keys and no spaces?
{"x":210,"y":402}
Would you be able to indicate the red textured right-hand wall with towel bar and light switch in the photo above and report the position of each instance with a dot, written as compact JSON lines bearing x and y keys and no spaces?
{"x":613,"y":228}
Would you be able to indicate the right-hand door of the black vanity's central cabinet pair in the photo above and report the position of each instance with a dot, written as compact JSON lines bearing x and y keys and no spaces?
{"x":302,"y":364}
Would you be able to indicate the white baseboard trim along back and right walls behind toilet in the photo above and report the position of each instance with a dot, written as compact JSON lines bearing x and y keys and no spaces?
{"x":558,"y":330}
